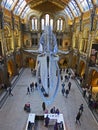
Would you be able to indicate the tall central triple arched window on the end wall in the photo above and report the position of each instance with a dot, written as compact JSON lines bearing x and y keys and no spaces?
{"x":46,"y":21}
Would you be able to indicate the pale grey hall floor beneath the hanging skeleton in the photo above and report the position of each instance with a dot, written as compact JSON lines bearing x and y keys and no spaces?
{"x":13,"y":116}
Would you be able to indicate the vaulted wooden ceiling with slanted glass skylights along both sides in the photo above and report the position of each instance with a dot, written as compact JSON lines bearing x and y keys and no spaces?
{"x":73,"y":8}
